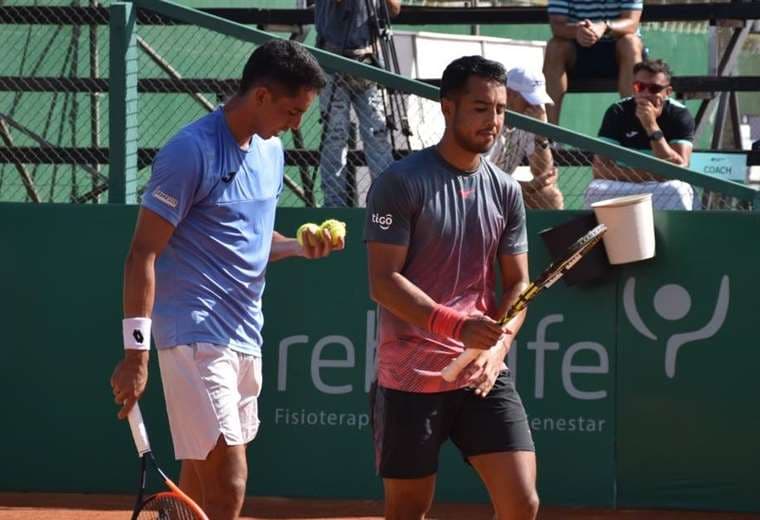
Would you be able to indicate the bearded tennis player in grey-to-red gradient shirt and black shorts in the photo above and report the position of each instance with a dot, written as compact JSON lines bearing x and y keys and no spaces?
{"x":438,"y":222}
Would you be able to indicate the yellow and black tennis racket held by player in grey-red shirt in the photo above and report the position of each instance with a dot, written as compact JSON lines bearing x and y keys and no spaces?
{"x":551,"y":274}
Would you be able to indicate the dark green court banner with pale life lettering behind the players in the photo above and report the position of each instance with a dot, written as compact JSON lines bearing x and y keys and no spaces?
{"x":641,"y":391}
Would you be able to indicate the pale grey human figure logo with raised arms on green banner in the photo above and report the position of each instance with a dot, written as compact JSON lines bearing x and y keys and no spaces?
{"x":672,"y":302}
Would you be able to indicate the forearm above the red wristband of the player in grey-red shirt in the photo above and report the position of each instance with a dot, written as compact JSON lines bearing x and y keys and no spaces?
{"x":404,"y":299}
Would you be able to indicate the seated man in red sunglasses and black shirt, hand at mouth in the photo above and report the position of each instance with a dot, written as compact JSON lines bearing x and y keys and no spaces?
{"x":649,"y":122}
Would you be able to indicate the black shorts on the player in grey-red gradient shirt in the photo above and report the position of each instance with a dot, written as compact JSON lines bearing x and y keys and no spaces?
{"x":409,"y":428}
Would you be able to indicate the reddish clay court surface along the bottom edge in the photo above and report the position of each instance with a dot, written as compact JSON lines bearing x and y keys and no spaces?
{"x":32,"y":506}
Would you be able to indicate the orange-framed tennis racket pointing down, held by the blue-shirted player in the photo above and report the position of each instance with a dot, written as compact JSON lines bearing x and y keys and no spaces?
{"x":167,"y":505}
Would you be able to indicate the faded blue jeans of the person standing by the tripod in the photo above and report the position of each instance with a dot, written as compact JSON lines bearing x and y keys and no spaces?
{"x":335,"y":102}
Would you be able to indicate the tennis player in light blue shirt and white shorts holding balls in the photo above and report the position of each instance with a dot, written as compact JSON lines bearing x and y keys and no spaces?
{"x":194,"y":276}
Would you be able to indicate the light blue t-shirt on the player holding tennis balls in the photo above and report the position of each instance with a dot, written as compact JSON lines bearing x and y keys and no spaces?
{"x":221,"y":200}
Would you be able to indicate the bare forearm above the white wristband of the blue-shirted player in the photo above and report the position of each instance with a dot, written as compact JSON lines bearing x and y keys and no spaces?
{"x":139,"y":284}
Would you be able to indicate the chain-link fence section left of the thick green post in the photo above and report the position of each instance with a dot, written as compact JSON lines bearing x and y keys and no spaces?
{"x":53,"y":103}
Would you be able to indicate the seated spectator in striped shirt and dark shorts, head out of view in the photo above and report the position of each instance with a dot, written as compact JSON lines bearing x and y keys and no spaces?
{"x":591,"y":39}
